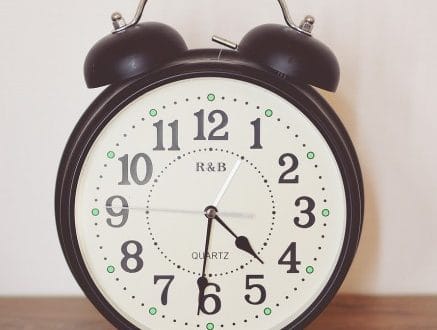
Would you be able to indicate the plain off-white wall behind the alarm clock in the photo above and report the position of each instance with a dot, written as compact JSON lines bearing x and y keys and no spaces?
{"x":388,"y":55}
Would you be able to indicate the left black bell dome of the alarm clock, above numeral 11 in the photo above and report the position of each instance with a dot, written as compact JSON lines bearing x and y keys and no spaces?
{"x":131,"y":50}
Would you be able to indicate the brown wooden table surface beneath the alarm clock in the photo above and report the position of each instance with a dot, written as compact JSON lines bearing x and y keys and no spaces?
{"x":346,"y":312}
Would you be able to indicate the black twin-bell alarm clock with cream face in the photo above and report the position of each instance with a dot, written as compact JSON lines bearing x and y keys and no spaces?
{"x":210,"y":188}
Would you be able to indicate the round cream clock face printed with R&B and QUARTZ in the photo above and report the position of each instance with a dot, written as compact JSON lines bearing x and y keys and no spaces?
{"x":210,"y":203}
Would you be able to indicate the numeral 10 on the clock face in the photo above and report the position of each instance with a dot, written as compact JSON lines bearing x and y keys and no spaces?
{"x":146,"y":169}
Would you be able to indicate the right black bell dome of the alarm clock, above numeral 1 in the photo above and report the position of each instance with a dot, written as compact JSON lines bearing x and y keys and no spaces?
{"x":292,"y":51}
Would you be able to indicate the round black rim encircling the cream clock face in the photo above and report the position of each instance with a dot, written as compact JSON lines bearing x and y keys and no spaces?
{"x":206,"y":63}
